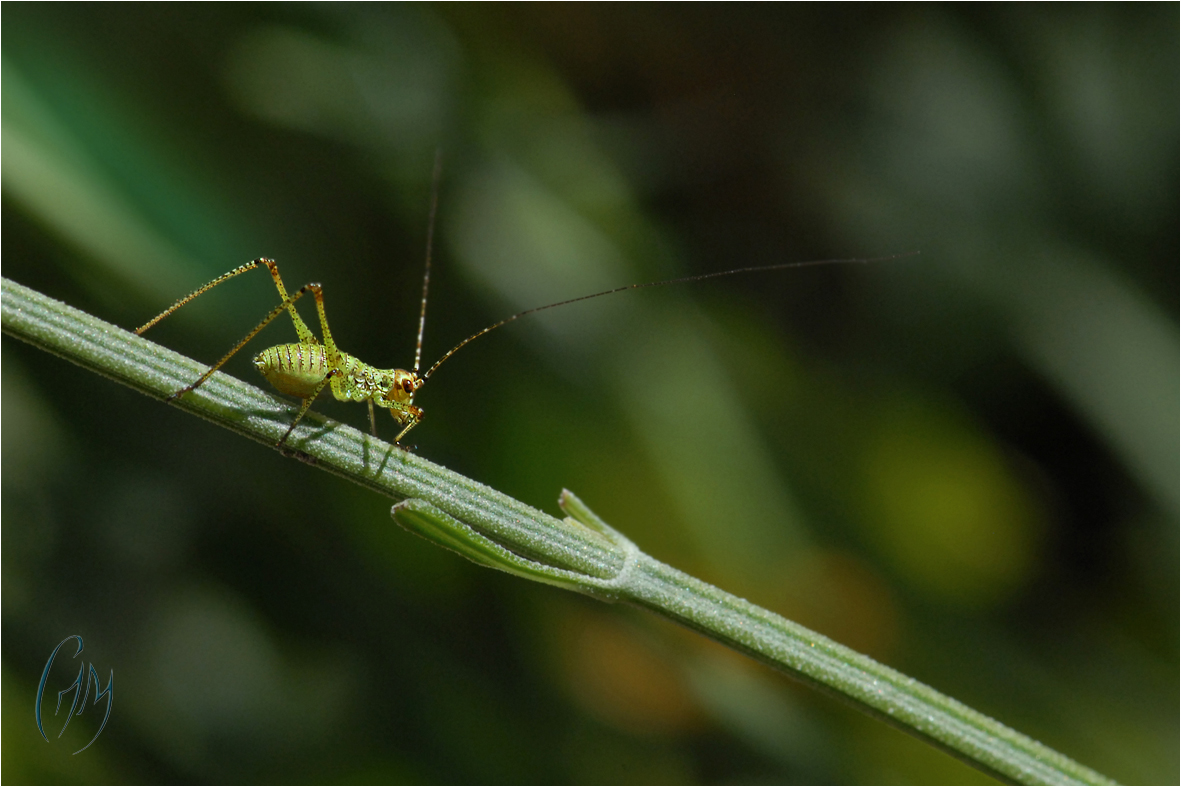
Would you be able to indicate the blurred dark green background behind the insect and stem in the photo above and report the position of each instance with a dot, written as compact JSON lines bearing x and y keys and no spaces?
{"x":964,"y":464}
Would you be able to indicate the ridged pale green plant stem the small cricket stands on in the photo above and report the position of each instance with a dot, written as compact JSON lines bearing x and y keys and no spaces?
{"x":580,"y":552}
